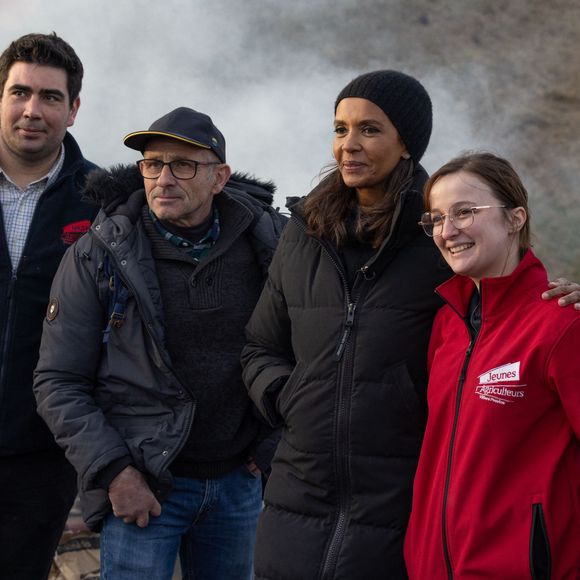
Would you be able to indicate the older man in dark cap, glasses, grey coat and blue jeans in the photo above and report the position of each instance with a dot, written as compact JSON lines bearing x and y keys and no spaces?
{"x":139,"y":376}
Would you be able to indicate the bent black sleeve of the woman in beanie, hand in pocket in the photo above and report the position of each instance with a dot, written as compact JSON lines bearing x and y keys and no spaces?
{"x":267,"y":358}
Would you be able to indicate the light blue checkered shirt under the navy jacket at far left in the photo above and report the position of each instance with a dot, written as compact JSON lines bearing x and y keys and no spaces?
{"x":18,"y":207}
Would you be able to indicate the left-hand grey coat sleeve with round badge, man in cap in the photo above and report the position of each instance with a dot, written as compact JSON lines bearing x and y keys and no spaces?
{"x":67,"y":371}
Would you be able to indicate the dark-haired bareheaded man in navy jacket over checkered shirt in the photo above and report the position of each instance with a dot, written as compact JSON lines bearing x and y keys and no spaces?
{"x":41,"y":173}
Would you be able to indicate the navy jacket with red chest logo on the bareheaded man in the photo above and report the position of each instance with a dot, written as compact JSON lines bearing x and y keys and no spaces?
{"x":59,"y":219}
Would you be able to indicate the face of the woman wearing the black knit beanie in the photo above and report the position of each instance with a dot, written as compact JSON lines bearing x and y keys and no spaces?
{"x":366,"y":146}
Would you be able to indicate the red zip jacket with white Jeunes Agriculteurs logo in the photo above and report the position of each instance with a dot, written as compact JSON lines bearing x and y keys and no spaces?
{"x":497,"y":491}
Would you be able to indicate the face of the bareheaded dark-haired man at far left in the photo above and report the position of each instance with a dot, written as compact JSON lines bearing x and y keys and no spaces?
{"x":35,"y":112}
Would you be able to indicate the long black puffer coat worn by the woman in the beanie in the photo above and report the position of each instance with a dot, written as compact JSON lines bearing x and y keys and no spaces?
{"x":353,"y":408}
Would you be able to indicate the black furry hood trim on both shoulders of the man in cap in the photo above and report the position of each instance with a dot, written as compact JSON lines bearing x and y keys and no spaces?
{"x":112,"y":187}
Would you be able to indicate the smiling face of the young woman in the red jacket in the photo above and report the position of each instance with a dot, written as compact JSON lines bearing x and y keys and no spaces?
{"x":489,"y":246}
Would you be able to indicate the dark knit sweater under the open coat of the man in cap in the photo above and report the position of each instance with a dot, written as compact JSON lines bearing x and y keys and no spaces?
{"x":206,"y":307}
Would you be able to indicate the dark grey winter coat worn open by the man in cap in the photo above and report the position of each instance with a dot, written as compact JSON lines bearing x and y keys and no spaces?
{"x":106,"y":401}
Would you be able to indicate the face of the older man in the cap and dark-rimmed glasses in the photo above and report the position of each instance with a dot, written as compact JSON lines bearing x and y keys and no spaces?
{"x":183,"y":202}
